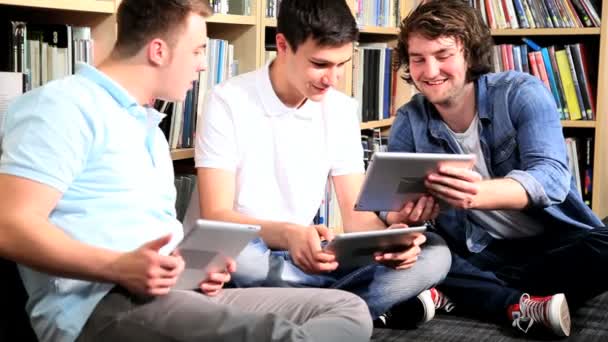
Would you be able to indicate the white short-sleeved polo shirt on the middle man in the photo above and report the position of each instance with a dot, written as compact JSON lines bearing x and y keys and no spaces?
{"x":281,"y":156}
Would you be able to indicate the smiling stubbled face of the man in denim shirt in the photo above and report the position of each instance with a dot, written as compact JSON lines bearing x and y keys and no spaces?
{"x":438,"y":68}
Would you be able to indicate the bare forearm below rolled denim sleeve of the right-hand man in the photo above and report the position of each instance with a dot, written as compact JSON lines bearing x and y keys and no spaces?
{"x":503,"y":193}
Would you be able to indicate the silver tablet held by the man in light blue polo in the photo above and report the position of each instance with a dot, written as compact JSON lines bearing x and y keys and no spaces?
{"x":206,"y":246}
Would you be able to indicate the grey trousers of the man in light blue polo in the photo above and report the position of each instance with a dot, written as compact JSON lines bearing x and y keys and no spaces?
{"x":253,"y":314}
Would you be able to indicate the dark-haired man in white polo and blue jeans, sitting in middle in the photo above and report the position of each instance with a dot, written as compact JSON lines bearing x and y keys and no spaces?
{"x":268,"y":140}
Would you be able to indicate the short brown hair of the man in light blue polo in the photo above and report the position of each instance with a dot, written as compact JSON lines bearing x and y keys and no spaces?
{"x":139,"y":21}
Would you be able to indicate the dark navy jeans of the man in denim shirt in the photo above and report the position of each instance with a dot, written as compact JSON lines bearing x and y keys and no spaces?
{"x":484,"y":284}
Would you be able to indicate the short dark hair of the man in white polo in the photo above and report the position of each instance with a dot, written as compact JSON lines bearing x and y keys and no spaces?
{"x":328,"y":22}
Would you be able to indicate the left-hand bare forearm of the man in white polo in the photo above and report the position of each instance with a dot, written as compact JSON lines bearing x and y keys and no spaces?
{"x":273,"y":233}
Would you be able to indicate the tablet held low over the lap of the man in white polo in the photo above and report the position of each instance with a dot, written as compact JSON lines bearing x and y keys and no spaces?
{"x":357,"y":249}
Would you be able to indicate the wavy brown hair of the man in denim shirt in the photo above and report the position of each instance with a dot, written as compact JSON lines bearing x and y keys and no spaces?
{"x":448,"y":18}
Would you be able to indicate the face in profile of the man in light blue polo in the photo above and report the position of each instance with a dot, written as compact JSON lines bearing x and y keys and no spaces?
{"x":186,"y":59}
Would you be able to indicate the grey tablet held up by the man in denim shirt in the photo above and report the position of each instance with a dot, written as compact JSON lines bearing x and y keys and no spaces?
{"x":393,"y":178}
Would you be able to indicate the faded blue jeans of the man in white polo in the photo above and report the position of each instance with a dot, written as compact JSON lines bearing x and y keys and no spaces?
{"x":381,"y":287}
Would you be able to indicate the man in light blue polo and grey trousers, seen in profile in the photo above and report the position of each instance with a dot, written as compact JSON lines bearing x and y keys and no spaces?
{"x":88,"y":206}
